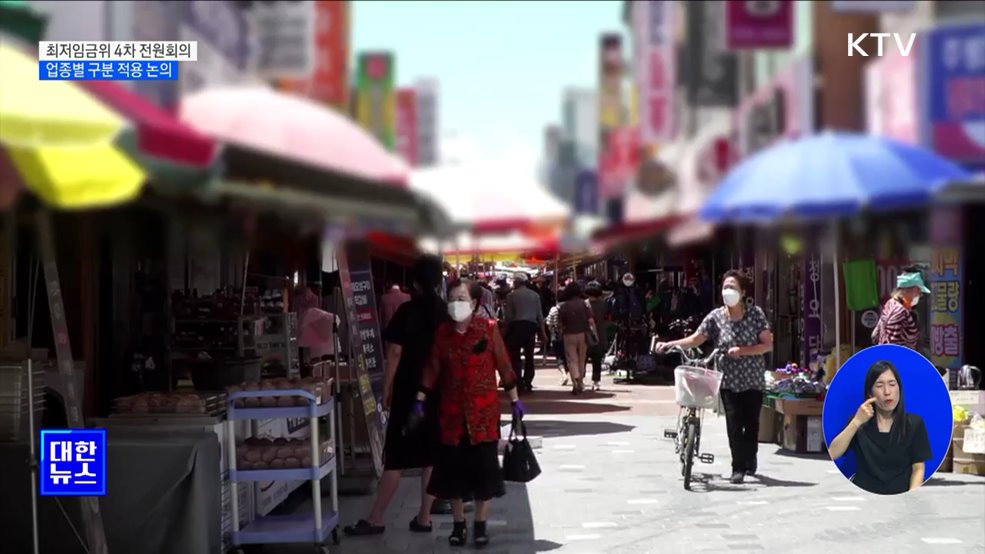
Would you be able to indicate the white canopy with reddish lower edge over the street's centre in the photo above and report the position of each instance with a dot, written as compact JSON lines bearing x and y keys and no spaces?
{"x":491,"y":198}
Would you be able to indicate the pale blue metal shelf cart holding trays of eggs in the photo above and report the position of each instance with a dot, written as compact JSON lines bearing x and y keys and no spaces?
{"x":294,"y":528}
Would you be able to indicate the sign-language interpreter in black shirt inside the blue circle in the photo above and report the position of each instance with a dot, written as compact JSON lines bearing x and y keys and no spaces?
{"x":890,"y":445}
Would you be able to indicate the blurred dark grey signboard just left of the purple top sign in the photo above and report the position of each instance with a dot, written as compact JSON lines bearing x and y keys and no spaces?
{"x":711,"y":74}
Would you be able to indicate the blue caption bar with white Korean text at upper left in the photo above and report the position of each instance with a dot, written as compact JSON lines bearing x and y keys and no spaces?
{"x":143,"y":70}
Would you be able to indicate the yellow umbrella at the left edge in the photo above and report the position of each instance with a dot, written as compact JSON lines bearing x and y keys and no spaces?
{"x":60,"y":138}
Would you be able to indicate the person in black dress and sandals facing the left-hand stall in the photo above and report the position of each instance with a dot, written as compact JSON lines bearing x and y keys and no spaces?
{"x":409,"y":339}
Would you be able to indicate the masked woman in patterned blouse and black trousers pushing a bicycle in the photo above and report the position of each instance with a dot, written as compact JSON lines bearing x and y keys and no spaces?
{"x":743,"y":332}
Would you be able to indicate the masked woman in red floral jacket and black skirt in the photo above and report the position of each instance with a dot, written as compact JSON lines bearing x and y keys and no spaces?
{"x":468,"y":352}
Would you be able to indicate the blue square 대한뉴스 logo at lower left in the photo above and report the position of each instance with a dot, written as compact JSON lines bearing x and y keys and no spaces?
{"x":73,"y":462}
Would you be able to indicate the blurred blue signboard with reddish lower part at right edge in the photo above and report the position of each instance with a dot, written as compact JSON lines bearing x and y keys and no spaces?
{"x":954,"y":76}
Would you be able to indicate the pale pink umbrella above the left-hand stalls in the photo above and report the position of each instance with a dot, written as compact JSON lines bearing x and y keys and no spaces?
{"x":292,"y":127}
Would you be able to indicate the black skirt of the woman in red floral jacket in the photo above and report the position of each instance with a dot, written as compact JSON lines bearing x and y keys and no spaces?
{"x":467,"y":472}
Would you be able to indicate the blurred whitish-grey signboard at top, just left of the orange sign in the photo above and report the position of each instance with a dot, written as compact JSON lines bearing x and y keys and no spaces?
{"x":286,"y":38}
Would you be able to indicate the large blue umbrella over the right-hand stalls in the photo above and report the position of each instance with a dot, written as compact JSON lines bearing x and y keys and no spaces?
{"x":830,"y":175}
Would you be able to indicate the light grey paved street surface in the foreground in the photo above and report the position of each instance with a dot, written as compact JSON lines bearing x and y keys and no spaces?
{"x":611,"y":484}
